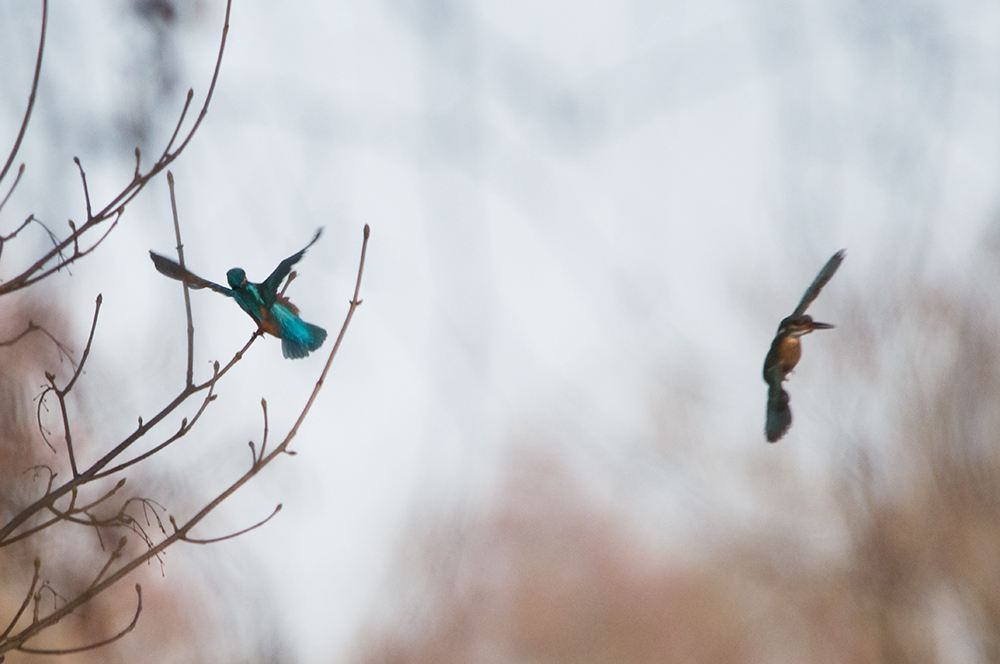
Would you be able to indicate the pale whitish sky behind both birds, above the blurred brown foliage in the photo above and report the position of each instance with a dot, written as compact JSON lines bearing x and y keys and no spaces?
{"x":575,"y":207}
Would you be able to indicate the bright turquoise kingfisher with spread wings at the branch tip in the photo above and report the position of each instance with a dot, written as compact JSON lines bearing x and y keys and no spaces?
{"x":272,"y":312}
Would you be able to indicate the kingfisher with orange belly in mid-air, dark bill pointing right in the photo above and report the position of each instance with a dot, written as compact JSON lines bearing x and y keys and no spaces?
{"x":786,"y":349}
